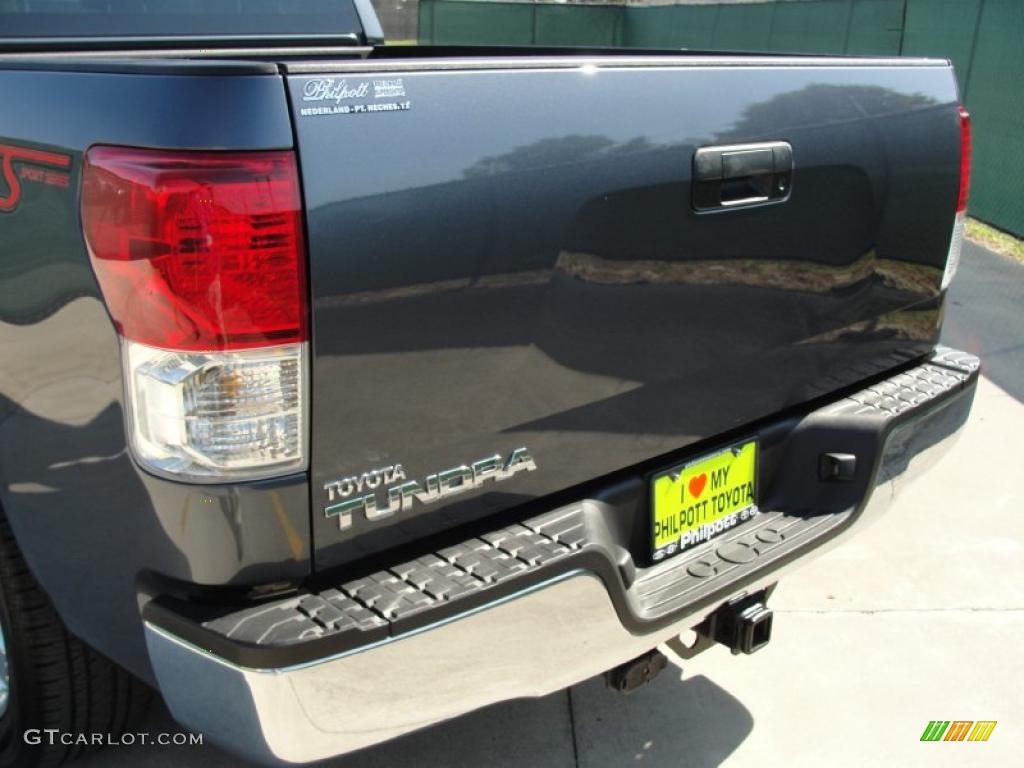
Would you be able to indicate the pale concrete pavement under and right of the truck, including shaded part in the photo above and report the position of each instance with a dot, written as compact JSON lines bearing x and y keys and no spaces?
{"x":917,"y":619}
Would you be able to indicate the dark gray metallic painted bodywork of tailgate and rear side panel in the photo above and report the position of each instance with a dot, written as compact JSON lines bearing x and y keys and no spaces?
{"x":461,"y":263}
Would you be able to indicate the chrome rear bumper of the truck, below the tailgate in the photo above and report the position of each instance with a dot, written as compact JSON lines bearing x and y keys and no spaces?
{"x":571,"y":623}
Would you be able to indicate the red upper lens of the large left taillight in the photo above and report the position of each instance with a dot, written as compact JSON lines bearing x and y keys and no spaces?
{"x":197,"y":250}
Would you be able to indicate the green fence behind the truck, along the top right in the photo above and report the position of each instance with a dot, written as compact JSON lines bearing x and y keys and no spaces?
{"x":985,"y":39}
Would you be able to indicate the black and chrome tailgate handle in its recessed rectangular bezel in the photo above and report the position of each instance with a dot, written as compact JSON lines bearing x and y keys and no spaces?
{"x":741,"y":176}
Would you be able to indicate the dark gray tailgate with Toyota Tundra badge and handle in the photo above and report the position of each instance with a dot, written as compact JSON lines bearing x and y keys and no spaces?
{"x":514,"y":292}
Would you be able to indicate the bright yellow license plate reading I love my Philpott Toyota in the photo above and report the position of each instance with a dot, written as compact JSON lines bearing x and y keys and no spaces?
{"x":701,"y":500}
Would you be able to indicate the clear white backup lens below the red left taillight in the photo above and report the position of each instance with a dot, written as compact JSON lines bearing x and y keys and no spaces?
{"x":219,"y":416}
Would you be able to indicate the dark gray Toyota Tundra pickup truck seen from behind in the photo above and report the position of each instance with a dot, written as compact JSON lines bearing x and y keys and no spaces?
{"x":348,"y":389}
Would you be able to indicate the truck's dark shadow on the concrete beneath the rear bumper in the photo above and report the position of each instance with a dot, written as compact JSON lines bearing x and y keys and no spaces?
{"x":657,"y":726}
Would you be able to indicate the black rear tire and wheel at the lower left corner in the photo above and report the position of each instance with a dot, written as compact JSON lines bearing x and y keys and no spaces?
{"x":50,"y":679}
